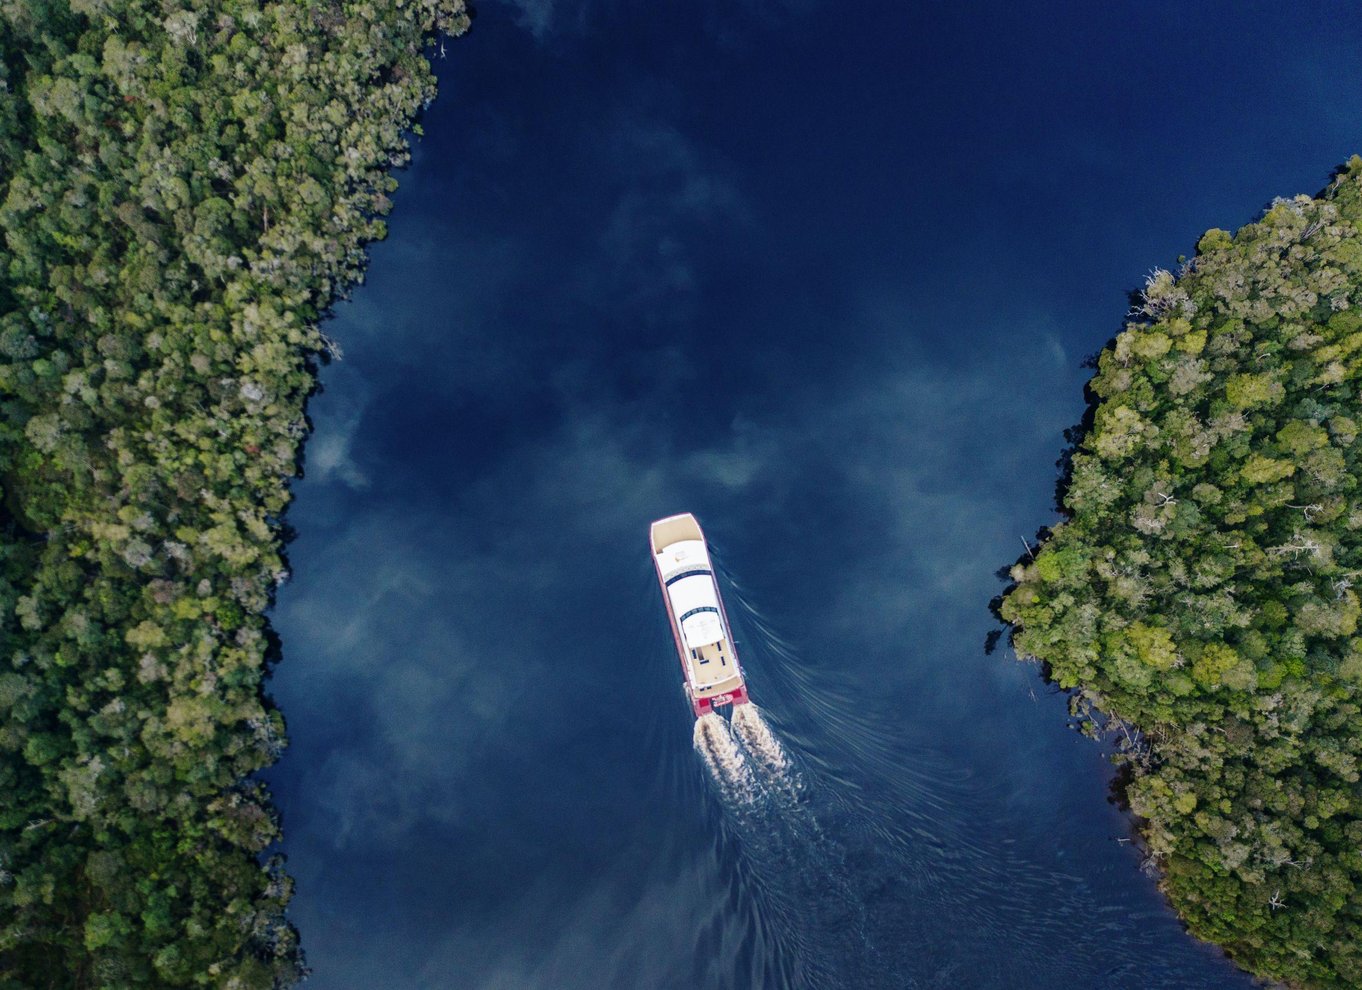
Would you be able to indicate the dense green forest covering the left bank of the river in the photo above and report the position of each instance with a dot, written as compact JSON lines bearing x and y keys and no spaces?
{"x":186,"y":186}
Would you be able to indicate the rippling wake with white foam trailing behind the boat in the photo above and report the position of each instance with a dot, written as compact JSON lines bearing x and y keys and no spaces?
{"x":848,"y":855}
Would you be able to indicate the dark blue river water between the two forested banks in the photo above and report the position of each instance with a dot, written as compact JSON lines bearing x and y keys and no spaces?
{"x":825,"y":277}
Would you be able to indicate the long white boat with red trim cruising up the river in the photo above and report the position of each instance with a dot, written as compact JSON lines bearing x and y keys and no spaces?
{"x":699,"y":623}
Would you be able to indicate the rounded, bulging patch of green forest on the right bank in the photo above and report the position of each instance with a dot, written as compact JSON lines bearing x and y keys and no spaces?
{"x":1202,"y":593}
